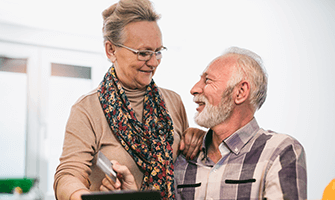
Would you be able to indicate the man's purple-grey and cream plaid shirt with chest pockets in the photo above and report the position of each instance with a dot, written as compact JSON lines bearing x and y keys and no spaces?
{"x":255,"y":164}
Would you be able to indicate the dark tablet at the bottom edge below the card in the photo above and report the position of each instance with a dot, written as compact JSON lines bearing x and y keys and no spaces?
{"x":123,"y":195}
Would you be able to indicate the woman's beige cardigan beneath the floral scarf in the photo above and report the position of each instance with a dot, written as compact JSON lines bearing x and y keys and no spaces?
{"x":87,"y":132}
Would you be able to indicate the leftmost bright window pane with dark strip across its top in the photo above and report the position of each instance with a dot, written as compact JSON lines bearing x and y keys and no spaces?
{"x":13,"y":120}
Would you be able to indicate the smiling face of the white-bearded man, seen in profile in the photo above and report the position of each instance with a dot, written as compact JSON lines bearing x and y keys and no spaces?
{"x":212,"y":94}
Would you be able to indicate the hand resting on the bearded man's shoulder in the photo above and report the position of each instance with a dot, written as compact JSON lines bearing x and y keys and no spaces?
{"x":191,"y":142}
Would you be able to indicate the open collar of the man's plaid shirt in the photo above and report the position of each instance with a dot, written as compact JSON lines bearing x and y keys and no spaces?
{"x":234,"y":142}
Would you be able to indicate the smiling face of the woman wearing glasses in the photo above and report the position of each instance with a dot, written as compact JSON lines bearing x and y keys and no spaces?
{"x":132,"y":72}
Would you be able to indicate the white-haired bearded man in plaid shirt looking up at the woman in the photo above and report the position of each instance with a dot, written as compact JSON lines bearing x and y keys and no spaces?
{"x":239,"y":160}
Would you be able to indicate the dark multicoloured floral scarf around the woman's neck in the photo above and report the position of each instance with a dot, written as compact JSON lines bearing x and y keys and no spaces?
{"x":150,"y":142}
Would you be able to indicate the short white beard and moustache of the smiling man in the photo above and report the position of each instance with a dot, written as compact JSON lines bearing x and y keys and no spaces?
{"x":211,"y":115}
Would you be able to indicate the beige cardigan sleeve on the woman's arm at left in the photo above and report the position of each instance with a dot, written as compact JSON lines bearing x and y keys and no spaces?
{"x":79,"y":147}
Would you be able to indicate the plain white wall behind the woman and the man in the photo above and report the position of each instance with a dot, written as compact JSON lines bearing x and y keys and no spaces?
{"x":294,"y":38}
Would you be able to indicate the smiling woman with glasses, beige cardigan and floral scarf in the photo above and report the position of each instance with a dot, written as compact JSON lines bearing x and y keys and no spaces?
{"x":127,"y":117}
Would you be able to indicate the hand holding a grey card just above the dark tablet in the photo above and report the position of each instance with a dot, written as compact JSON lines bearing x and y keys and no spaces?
{"x":125,"y":180}
